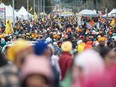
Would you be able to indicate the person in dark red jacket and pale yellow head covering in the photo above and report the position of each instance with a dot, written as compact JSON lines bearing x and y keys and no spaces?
{"x":66,"y":59}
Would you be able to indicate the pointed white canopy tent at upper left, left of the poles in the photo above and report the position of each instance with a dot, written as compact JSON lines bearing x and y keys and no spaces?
{"x":24,"y":14}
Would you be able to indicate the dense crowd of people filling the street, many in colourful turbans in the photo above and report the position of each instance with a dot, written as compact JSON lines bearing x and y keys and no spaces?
{"x":54,"y":51}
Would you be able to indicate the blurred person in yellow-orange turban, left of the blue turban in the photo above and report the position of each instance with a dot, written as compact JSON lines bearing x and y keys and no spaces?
{"x":18,"y":52}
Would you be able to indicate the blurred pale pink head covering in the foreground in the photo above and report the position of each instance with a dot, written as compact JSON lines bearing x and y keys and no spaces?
{"x":36,"y":65}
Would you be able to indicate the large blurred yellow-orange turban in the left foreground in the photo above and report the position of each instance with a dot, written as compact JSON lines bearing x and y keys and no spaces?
{"x":17,"y":47}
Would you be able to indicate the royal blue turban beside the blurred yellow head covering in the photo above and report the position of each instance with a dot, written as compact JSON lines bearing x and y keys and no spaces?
{"x":40,"y":47}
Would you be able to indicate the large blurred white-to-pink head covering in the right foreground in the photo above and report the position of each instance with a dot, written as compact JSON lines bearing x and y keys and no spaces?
{"x":92,"y":65}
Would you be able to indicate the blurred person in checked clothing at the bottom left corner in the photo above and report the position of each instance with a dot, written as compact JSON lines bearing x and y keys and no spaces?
{"x":8,"y":73}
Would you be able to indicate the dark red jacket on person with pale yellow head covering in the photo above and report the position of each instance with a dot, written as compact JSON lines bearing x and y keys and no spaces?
{"x":65,"y":63}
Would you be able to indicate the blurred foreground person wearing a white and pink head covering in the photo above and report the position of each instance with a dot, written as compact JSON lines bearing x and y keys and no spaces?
{"x":87,"y":66}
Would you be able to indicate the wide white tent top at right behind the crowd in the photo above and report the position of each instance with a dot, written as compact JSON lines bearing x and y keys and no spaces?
{"x":88,"y":13}
